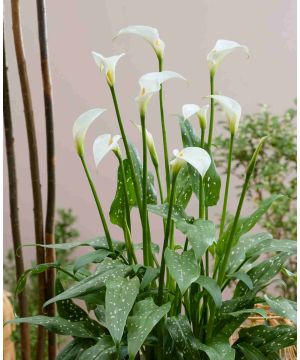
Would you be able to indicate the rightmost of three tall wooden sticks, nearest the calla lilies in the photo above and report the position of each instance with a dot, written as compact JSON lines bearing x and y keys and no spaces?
{"x":50,"y":214}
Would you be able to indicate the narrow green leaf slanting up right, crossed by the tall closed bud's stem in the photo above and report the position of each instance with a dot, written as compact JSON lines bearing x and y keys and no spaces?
{"x":246,"y":224}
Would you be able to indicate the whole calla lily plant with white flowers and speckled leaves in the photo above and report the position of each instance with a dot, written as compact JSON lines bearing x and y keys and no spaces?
{"x":152,"y":296}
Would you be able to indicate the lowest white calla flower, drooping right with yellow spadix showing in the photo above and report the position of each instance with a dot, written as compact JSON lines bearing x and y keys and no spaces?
{"x":195,"y":156}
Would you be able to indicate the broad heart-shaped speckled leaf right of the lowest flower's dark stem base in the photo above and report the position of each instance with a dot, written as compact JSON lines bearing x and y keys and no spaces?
{"x":183,"y":268}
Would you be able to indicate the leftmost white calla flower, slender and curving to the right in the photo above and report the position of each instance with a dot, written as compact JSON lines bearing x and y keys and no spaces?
{"x":81,"y":126}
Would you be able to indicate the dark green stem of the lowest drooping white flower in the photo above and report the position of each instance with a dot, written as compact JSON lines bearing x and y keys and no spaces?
{"x":166,"y":240}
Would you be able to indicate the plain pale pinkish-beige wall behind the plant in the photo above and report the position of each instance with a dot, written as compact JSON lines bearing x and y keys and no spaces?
{"x":189,"y":29}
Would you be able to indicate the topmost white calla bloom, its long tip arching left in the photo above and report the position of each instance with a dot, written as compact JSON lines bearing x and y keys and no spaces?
{"x":148,"y":33}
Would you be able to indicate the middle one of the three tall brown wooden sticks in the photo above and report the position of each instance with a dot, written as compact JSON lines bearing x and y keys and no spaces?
{"x":34,"y":164}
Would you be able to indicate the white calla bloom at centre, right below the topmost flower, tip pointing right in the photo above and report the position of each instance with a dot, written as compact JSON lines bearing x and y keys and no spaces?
{"x":150,"y":84}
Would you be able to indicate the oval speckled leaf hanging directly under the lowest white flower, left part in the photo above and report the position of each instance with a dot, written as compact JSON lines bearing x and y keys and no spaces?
{"x":183,"y":188}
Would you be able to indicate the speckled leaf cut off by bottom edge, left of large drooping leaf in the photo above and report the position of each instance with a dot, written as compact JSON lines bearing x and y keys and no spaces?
{"x":104,"y":350}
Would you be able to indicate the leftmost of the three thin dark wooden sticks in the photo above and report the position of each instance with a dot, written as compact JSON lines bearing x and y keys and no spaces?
{"x":14,"y":210}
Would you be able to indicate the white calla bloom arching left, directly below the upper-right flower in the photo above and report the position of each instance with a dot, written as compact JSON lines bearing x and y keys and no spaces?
{"x":232,"y":110}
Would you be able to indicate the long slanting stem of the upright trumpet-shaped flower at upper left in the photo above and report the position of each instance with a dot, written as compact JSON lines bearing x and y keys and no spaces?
{"x":126,"y":146}
